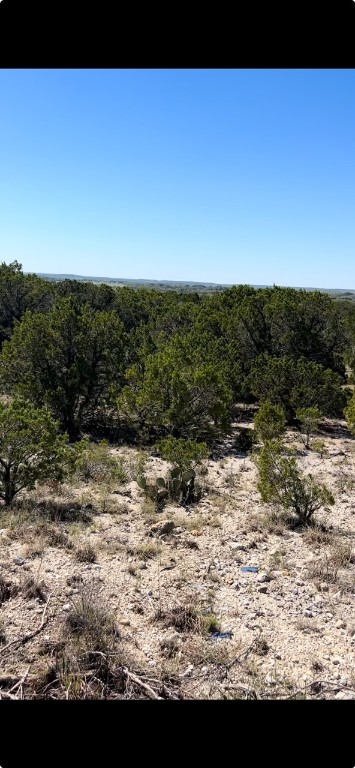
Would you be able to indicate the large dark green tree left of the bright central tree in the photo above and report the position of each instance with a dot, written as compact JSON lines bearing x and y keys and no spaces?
{"x":70,"y":359}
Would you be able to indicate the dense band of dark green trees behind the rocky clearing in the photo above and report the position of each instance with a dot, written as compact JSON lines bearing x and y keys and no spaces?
{"x":144,"y":363}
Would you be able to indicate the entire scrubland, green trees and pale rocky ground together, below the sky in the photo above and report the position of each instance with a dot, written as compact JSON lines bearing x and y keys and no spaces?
{"x":152,"y":446}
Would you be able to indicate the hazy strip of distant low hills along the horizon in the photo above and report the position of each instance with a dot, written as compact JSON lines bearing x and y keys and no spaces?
{"x":187,"y":285}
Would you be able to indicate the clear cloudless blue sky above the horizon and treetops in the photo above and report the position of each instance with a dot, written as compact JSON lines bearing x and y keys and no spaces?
{"x":229,"y":176}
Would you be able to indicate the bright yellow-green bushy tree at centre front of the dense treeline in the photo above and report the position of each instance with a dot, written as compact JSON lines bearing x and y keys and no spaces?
{"x":176,"y":393}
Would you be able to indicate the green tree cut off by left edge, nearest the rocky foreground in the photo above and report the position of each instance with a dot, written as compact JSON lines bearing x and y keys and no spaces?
{"x":31,"y":449}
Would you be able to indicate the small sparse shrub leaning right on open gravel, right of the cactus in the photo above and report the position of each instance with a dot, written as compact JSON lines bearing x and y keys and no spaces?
{"x":281,"y":483}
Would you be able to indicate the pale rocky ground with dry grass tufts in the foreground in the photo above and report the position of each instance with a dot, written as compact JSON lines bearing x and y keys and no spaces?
{"x":101,"y":596}
